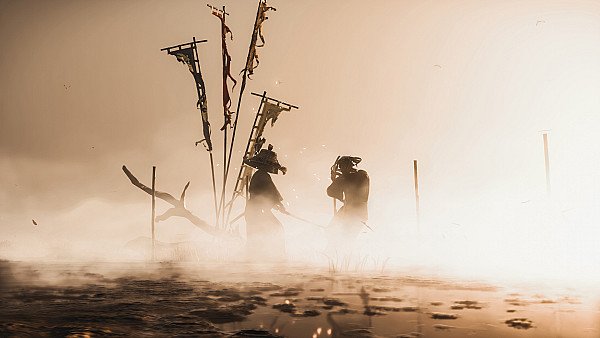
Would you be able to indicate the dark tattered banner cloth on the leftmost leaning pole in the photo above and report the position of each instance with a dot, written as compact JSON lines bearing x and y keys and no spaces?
{"x":186,"y":55}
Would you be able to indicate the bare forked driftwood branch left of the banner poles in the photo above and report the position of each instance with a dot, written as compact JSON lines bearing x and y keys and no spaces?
{"x":178,"y":209}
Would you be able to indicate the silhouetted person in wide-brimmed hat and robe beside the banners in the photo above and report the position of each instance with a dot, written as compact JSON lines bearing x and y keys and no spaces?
{"x":265,"y":237}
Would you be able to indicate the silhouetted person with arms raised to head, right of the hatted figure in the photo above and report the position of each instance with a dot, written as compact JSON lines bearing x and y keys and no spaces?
{"x":351,"y":186}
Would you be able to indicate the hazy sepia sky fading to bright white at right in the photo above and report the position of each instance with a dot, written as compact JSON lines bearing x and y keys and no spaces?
{"x":464,"y":86}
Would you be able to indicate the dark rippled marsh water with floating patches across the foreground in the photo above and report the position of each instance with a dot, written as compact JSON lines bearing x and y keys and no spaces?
{"x":244,"y":300}
